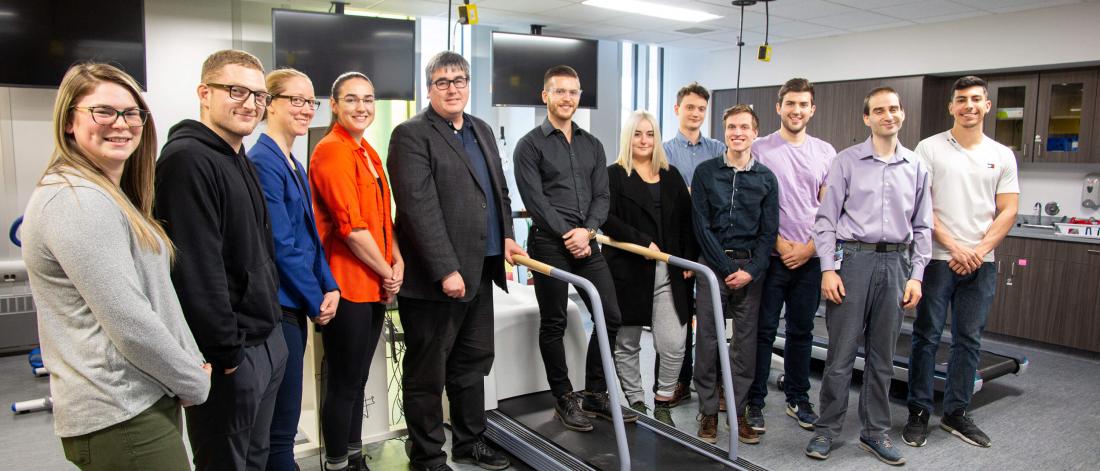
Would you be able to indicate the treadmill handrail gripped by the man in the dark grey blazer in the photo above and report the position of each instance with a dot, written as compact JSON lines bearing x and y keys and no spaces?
{"x":606,"y":352}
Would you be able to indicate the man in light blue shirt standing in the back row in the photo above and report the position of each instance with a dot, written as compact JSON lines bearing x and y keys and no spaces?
{"x":689,"y":149}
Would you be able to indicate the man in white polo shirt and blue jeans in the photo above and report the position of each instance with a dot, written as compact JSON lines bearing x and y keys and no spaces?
{"x":975,"y":196}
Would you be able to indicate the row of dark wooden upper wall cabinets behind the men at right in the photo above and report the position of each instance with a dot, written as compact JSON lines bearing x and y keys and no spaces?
{"x":1048,"y":116}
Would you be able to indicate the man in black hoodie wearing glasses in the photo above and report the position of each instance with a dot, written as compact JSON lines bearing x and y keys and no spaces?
{"x":210,"y":199}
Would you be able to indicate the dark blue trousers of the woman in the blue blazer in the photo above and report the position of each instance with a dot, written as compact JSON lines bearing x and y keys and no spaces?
{"x":289,"y":401}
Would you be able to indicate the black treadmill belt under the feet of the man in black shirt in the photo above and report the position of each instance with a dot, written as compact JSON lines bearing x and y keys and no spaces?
{"x":650,"y":451}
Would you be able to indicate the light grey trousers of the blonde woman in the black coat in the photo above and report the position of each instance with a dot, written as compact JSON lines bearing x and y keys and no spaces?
{"x":669,"y":338}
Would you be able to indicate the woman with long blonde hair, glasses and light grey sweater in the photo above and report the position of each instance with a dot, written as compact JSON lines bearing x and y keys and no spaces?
{"x":122,"y":358}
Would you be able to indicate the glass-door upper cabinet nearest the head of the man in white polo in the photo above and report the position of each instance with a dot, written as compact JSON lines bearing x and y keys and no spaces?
{"x":1013,"y":119}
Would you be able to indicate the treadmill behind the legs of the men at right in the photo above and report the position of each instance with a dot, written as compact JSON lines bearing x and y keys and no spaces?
{"x":993,"y":364}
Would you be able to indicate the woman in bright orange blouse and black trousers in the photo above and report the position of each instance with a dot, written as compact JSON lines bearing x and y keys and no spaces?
{"x":351,"y":201}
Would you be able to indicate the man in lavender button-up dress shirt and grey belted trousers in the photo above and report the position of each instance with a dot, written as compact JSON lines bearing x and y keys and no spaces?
{"x":874,"y":237}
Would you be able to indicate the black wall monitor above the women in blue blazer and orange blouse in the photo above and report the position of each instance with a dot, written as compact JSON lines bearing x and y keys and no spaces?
{"x":325,"y":46}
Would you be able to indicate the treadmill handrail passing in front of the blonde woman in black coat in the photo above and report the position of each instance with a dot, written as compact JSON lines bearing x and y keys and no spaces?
{"x":720,"y":322}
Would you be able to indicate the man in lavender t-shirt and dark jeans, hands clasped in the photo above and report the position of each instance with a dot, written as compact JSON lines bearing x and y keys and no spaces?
{"x":800,"y":163}
